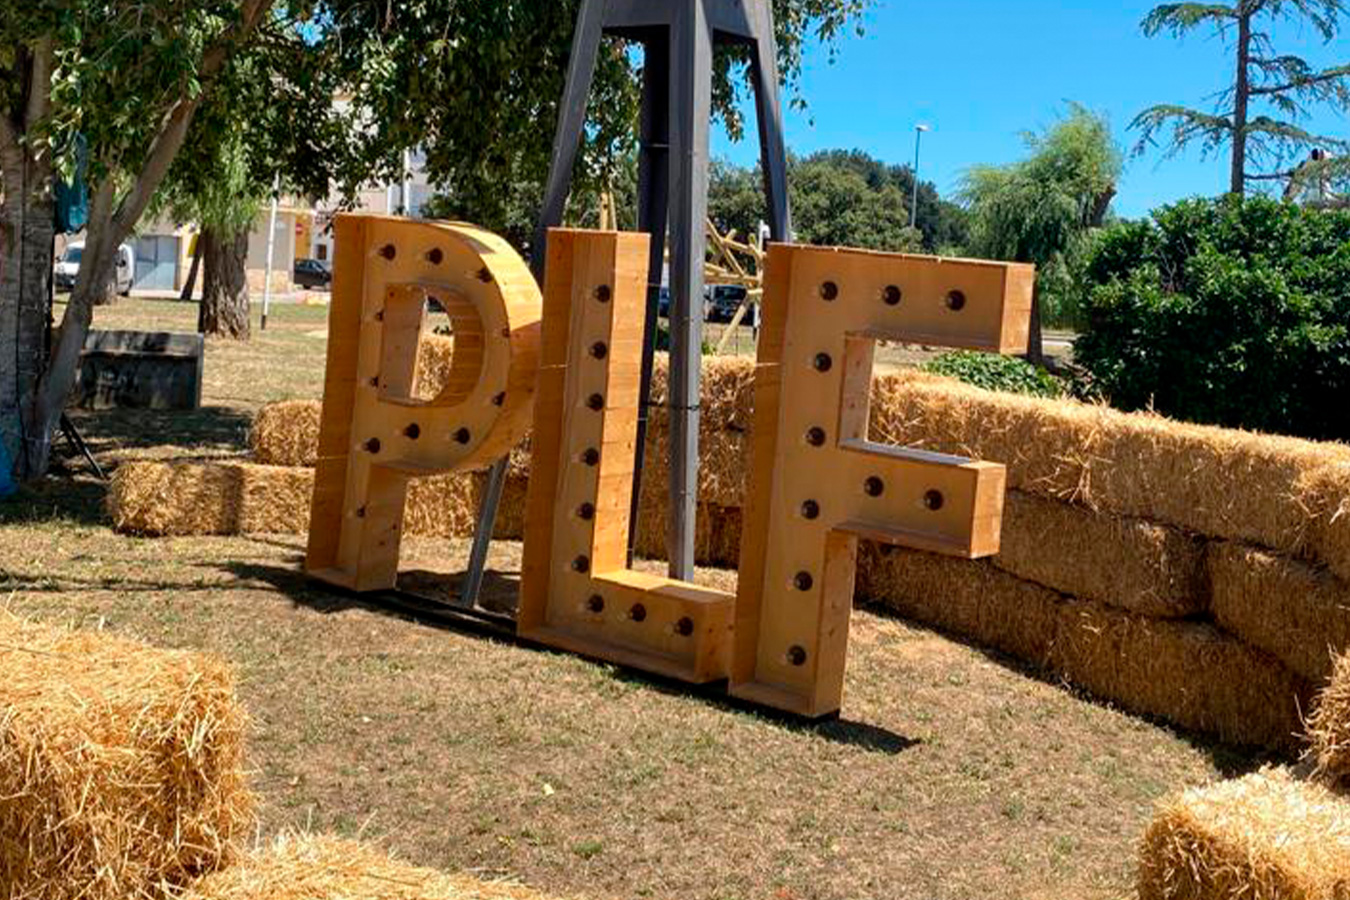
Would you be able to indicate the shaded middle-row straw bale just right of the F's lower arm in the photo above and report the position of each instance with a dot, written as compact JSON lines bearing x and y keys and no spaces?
{"x":1131,"y":563}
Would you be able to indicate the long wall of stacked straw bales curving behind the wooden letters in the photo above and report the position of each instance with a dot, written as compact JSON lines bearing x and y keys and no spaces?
{"x":1225,"y":546}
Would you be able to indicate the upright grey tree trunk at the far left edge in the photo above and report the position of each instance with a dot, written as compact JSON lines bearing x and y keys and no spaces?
{"x":26,"y":258}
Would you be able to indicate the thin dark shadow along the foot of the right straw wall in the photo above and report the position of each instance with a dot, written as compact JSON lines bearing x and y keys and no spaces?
{"x":1229,"y":760}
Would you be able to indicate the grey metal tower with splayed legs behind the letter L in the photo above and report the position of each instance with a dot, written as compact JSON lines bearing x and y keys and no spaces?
{"x":678,"y":38}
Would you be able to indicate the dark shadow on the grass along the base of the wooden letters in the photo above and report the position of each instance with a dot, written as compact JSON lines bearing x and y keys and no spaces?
{"x":499,"y":593}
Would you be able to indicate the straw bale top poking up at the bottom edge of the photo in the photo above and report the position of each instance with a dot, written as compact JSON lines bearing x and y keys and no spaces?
{"x":329,"y":868}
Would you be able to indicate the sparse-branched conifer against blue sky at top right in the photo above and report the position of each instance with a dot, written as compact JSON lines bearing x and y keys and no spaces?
{"x":1259,"y":117}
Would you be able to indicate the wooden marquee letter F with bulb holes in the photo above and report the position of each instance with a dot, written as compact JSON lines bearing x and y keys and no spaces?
{"x":817,"y":484}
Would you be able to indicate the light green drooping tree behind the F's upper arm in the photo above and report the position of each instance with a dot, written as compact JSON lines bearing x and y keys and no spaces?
{"x":1043,"y":208}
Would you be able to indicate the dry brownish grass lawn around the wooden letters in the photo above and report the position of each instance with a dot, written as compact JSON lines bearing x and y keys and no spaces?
{"x":952,"y":774}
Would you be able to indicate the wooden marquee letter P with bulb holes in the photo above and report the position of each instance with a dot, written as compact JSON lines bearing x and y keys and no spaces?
{"x":375,"y":434}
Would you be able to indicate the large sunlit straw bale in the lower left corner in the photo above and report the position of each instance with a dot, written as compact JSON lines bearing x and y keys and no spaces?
{"x":121,"y":766}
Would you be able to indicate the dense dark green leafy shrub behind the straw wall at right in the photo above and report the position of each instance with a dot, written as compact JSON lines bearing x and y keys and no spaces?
{"x":1232,"y":312}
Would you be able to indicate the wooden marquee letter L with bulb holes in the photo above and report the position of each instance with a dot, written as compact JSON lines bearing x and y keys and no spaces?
{"x":577,"y":593}
